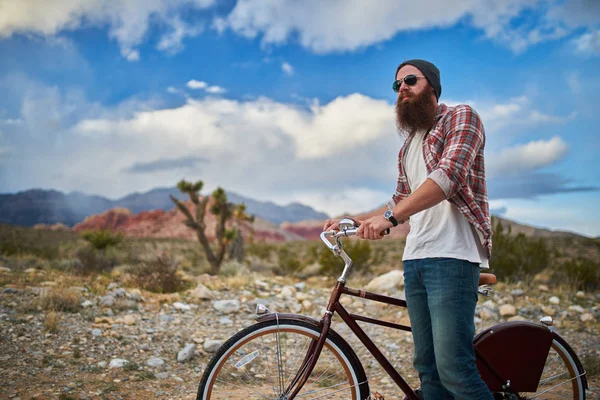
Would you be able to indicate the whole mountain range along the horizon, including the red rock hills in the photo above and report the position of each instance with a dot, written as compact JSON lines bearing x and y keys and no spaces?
{"x":40,"y":206}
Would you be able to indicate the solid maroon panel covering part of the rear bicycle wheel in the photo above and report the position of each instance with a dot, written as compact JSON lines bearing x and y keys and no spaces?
{"x":512,"y":352}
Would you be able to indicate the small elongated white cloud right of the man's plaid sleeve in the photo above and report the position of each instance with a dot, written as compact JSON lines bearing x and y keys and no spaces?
{"x":527,"y":157}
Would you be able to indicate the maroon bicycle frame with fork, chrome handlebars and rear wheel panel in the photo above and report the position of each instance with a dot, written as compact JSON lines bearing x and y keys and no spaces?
{"x":525,"y":338}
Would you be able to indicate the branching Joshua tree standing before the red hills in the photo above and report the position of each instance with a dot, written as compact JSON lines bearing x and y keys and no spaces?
{"x":223,"y":210}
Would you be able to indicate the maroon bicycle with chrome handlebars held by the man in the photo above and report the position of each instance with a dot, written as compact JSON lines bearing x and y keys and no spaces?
{"x":290,"y":356}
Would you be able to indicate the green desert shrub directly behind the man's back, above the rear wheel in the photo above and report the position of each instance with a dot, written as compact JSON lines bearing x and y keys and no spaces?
{"x":517,"y":256}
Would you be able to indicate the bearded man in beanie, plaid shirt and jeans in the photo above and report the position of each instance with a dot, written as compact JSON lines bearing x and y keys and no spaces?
{"x":441,"y":188}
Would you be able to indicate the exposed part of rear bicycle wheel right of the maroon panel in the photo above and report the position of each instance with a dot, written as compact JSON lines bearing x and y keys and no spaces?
{"x":560,"y":354}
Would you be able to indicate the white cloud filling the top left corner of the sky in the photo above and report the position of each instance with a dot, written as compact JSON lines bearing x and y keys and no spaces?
{"x":128,"y":21}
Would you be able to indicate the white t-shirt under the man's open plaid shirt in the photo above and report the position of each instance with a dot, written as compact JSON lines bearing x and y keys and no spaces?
{"x":439,"y":231}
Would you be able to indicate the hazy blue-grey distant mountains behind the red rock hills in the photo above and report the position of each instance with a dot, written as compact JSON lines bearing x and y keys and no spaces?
{"x":39,"y":206}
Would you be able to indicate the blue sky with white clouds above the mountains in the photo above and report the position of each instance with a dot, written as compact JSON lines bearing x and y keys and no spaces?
{"x":291,"y":101}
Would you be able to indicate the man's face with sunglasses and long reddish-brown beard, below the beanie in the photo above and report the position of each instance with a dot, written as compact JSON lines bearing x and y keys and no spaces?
{"x":416,"y":105}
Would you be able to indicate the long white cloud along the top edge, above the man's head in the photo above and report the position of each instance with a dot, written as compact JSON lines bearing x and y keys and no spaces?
{"x":346,"y":25}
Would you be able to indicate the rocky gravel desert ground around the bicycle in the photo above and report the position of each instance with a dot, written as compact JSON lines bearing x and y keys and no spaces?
{"x":78,"y":356}
